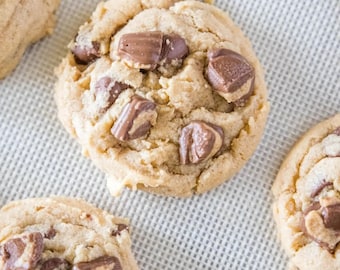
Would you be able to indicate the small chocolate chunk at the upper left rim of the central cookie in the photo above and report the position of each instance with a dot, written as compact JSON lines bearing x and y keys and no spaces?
{"x":85,"y":54}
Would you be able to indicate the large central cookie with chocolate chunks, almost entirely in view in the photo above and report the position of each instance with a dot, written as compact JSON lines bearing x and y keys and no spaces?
{"x":169,"y":100}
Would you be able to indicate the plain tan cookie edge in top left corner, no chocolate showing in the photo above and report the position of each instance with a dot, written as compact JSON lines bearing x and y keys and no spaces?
{"x":21,"y":24}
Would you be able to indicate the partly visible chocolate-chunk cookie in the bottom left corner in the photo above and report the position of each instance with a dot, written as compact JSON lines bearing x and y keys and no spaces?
{"x":62,"y":233}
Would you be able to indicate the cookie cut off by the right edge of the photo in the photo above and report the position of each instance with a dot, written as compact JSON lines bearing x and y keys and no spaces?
{"x":307,"y":199}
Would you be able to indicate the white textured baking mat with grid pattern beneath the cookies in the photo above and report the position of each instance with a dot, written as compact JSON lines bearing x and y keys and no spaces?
{"x":230,"y":227}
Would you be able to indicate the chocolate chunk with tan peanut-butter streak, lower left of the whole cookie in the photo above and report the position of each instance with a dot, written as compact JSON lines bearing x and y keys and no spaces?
{"x":135,"y":120}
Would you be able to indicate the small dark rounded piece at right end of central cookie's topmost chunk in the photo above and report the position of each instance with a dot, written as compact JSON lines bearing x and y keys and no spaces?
{"x":174,"y":48}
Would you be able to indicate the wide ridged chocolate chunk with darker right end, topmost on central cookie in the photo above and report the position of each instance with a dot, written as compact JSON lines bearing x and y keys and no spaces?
{"x":151,"y":48}
